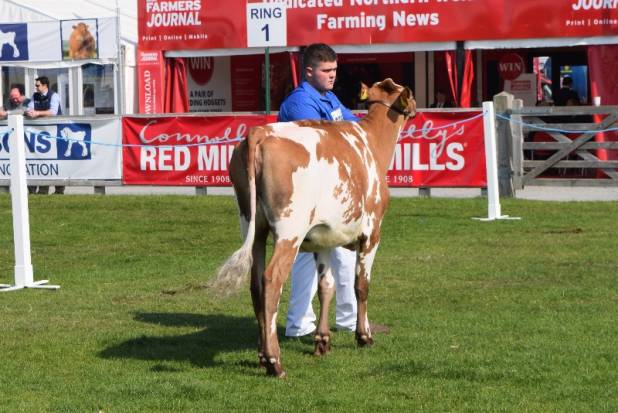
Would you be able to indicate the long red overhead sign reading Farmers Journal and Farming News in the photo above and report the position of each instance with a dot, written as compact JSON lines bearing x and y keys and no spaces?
{"x":208,"y":24}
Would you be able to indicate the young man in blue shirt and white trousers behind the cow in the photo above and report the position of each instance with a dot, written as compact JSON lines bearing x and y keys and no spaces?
{"x":314,"y":100}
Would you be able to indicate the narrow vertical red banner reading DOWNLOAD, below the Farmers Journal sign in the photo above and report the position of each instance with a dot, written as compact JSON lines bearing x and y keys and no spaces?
{"x":150,"y":78}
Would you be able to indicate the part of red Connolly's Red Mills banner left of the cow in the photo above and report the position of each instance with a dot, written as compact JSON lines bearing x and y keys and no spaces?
{"x":187,"y":151}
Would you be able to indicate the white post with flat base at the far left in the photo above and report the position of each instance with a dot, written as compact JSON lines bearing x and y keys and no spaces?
{"x":19,"y":201}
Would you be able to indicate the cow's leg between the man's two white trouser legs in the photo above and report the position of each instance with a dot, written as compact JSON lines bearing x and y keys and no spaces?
{"x":326,"y":290}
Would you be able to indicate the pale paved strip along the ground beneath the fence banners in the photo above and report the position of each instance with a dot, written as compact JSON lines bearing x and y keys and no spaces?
{"x":543,"y":193}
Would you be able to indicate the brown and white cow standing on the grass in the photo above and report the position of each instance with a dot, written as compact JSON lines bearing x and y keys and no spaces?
{"x":314,"y":185}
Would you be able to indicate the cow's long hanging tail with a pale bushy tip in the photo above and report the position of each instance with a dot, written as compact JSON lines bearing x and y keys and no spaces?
{"x":232,"y":274}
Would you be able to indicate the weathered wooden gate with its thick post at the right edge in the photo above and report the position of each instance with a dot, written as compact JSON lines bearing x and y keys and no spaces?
{"x":557,"y":146}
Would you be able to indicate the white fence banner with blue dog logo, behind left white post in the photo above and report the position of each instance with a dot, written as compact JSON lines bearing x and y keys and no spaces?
{"x":63,"y":149}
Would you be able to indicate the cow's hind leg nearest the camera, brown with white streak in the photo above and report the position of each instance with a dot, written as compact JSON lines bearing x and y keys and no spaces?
{"x":275,"y":275}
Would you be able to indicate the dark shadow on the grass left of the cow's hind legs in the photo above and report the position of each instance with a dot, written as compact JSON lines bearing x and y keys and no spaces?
{"x":217,"y":334}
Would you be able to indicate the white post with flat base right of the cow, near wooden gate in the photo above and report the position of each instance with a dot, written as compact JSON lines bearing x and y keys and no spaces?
{"x":491,"y":162}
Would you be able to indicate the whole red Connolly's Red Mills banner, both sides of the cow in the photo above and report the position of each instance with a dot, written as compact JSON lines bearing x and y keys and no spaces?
{"x":433,"y":150}
